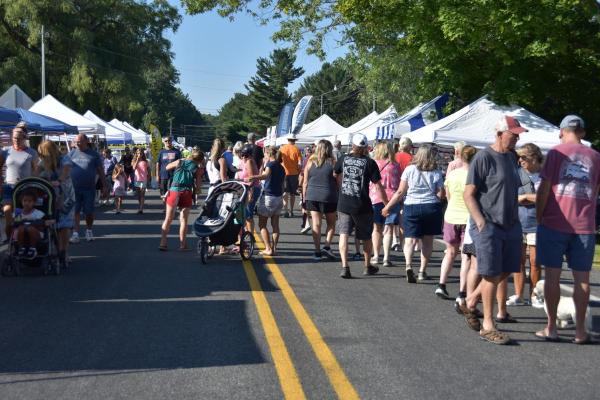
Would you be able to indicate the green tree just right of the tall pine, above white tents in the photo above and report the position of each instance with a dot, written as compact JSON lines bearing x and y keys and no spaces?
{"x":340,"y":93}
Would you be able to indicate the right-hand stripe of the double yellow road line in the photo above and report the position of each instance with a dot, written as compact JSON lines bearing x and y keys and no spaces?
{"x":337,"y":377}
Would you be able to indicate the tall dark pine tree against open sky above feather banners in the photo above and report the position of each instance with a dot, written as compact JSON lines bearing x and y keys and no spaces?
{"x":267,"y":90}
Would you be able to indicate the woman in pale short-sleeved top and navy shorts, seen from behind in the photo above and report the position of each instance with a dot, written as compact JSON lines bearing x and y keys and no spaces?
{"x":423,"y":184}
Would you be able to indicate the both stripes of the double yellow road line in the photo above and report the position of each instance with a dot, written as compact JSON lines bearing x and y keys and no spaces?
{"x":288,"y":377}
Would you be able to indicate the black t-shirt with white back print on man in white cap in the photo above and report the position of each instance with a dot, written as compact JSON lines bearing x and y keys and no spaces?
{"x":357,"y":173}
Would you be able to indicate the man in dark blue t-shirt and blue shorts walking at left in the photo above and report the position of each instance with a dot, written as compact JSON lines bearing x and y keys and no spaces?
{"x":86,"y":167}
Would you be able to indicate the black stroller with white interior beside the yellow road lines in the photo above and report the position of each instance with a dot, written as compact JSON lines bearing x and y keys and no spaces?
{"x":221,"y":221}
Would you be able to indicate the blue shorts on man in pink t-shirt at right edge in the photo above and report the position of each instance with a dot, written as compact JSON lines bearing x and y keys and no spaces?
{"x":553,"y":245}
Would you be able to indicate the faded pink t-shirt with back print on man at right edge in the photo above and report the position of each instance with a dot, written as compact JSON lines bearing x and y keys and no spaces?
{"x":573,"y":170}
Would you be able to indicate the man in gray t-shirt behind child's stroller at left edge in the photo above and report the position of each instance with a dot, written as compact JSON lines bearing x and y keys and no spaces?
{"x":20,"y":162}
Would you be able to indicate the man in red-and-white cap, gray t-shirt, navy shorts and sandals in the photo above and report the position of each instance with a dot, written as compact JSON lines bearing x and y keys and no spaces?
{"x":491,"y":197}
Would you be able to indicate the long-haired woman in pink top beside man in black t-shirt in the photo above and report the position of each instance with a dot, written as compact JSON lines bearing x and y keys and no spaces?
{"x":390,"y":179}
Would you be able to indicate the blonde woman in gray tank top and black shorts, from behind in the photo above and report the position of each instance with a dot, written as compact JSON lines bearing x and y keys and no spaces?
{"x":319,"y":191}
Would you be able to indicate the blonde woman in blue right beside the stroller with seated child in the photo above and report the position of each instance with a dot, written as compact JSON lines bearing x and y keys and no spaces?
{"x":56,"y":168}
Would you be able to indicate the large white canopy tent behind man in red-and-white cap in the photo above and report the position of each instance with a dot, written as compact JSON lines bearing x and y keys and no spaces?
{"x":475,"y":125}
